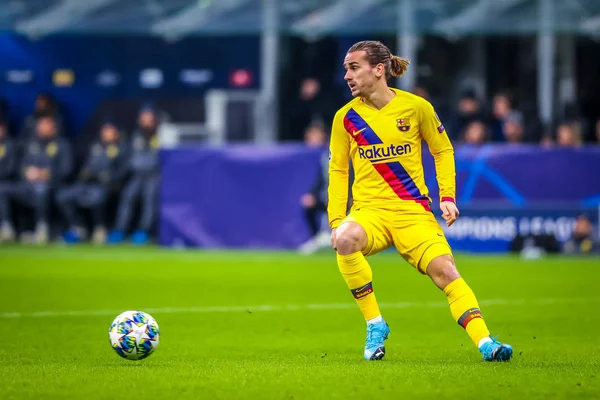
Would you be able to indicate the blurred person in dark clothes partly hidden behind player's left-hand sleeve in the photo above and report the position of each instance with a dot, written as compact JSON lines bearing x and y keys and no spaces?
{"x":314,"y":202}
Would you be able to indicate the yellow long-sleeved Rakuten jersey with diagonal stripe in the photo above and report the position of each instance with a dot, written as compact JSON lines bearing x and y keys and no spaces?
{"x":385,"y":149}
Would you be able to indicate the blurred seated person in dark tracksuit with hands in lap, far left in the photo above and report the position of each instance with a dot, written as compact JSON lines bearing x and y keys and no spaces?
{"x":47,"y":162}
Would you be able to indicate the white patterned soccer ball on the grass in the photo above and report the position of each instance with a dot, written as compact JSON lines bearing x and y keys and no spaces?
{"x":134,"y":335}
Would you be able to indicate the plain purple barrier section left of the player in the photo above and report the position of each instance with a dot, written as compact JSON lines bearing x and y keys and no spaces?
{"x":241,"y":196}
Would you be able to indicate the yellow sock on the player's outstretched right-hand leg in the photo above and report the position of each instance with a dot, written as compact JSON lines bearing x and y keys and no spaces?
{"x":465,"y":309}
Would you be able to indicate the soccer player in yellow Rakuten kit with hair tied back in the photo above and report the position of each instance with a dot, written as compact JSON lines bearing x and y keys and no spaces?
{"x":381,"y":131}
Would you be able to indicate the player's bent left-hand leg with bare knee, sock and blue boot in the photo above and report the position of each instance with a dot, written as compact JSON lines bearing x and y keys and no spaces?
{"x":360,"y":234}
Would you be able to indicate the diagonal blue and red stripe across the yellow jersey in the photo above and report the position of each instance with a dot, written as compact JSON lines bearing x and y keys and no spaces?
{"x":392,"y":172}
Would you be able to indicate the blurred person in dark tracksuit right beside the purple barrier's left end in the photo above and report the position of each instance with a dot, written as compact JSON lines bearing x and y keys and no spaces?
{"x":143,"y":182}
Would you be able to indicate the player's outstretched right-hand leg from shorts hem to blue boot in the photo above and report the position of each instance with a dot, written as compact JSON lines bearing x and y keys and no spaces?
{"x":463,"y":303}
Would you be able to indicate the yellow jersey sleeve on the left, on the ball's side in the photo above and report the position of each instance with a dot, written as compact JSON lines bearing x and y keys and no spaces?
{"x":339,"y":159}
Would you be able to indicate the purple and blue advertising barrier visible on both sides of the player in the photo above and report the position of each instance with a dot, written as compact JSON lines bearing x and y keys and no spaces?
{"x":246,"y":196}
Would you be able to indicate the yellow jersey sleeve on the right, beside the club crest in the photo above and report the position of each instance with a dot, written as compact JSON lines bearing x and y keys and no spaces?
{"x":435,"y":135}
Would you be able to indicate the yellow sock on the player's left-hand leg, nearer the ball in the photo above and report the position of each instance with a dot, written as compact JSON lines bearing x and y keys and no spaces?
{"x":358,"y":275}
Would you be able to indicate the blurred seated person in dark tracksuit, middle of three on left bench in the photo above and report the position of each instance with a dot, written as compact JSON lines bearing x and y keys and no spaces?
{"x":101,"y":176}
